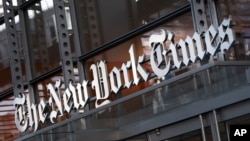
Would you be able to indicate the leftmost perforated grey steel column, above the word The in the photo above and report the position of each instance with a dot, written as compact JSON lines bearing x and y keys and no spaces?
{"x":13,"y":49}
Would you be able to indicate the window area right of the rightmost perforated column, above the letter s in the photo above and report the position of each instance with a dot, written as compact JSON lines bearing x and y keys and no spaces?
{"x":238,"y":11}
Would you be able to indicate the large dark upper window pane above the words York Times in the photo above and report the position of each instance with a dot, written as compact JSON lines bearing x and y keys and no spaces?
{"x":102,"y":21}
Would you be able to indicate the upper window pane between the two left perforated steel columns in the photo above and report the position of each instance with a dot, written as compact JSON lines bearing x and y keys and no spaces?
{"x":43,"y":40}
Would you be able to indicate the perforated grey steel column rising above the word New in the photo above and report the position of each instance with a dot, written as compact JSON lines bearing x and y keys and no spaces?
{"x":64,"y":44}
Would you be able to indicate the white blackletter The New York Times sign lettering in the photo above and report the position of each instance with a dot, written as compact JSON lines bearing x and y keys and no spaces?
{"x":105,"y":83}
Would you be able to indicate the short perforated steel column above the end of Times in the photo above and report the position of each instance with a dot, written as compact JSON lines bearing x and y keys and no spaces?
{"x":199,"y":15}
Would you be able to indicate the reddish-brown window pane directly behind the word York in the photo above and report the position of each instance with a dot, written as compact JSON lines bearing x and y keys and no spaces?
{"x":118,"y":56}
